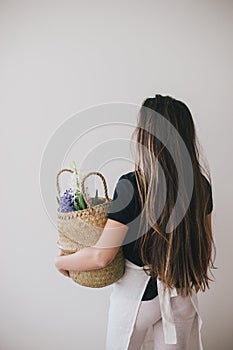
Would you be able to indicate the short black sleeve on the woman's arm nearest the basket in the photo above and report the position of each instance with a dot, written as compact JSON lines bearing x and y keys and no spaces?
{"x":122,"y":207}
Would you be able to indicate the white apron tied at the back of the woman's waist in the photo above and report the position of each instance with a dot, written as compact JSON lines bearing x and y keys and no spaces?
{"x":124,"y":304}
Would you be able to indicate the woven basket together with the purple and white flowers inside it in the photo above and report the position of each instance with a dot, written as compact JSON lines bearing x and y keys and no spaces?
{"x":81,"y":220}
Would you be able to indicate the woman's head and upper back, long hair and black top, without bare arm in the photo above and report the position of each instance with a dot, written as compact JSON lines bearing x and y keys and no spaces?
{"x":166,"y":199}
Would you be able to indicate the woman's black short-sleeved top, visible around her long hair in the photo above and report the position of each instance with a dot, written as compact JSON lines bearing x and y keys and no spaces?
{"x":126,"y":209}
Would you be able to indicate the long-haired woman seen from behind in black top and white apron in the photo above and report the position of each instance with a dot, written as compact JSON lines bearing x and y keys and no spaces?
{"x":161,"y":214}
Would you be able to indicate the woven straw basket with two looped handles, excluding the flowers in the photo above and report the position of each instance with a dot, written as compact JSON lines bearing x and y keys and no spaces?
{"x":83,"y":228}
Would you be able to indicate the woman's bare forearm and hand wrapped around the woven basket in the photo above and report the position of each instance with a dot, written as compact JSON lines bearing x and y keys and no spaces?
{"x":99,"y":255}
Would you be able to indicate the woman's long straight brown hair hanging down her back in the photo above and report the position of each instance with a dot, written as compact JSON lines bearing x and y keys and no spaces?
{"x":182,"y":257}
